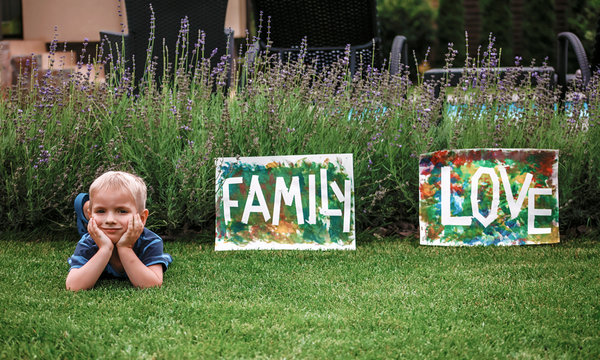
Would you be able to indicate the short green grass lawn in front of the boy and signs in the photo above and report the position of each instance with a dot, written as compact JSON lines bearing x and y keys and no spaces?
{"x":388,"y":299}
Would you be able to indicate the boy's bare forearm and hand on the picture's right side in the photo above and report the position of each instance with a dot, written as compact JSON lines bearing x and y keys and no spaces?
{"x":139,"y":274}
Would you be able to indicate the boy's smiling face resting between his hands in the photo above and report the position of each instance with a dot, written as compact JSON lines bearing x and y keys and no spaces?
{"x":112,"y":209}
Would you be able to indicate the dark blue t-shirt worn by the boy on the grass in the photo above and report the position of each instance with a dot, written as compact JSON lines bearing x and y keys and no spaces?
{"x":148,"y":248}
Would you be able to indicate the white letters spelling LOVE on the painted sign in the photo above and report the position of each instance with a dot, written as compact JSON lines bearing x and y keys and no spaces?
{"x":514,"y":205}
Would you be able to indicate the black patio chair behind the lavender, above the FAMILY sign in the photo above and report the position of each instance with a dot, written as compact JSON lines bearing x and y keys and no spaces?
{"x":328,"y":26}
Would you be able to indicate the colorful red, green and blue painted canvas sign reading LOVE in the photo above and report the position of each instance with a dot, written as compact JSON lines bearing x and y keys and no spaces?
{"x":488,"y":197}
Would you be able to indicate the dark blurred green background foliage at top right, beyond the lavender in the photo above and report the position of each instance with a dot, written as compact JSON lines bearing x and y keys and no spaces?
{"x":522,"y":28}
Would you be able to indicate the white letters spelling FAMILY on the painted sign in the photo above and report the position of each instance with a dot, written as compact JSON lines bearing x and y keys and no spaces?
{"x":291,"y":196}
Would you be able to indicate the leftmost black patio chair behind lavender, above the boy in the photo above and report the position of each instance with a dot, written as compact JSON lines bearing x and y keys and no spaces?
{"x":208,"y":16}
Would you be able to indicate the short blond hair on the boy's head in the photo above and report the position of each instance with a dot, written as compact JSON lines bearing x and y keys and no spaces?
{"x":121,"y":180}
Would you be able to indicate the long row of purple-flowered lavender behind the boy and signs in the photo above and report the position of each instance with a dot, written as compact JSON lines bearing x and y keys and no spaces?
{"x":61,"y":129}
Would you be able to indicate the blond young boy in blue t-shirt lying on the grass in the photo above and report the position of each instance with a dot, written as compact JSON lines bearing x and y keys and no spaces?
{"x":117,"y":243}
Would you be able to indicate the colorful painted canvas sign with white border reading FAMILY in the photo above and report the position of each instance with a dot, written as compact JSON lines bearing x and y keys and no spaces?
{"x":285,"y":202}
